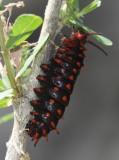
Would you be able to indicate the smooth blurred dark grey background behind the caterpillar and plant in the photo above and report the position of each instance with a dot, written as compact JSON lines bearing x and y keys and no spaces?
{"x":90,"y":130}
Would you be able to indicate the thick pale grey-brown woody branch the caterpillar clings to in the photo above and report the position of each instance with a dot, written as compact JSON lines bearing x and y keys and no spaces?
{"x":17,"y":143}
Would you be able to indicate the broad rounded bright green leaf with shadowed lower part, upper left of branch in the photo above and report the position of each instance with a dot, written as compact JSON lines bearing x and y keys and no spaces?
{"x":22,"y":29}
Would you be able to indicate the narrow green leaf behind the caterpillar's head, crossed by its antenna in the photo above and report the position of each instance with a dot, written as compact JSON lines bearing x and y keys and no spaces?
{"x":100,"y":38}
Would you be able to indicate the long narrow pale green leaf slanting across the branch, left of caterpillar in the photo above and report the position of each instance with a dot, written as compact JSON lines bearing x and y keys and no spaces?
{"x":31,"y":58}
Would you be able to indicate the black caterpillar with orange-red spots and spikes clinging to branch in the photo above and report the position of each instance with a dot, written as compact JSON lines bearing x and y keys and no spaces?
{"x":57,"y":85}
